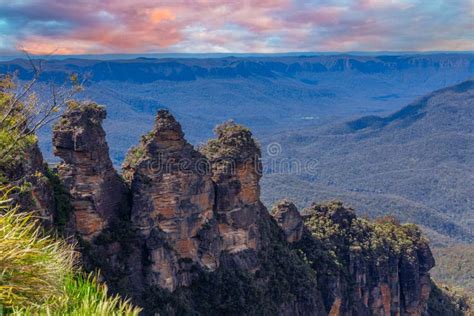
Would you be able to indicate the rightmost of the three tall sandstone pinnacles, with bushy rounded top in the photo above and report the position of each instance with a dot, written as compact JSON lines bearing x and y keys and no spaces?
{"x":236,"y":170}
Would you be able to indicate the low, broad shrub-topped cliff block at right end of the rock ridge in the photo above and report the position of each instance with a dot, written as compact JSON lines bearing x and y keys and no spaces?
{"x":366,"y":268}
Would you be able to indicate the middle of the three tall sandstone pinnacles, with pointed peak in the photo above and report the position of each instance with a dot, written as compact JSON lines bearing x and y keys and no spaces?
{"x":173,"y":201}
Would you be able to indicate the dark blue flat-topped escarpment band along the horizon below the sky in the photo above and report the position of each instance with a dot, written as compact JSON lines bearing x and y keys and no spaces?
{"x":146,"y":70}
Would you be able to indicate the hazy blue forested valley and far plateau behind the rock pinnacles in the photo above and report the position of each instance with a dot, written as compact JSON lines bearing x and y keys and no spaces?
{"x":268,"y":94}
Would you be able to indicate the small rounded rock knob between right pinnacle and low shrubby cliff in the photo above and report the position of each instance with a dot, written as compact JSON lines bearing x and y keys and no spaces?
{"x":289,"y":219}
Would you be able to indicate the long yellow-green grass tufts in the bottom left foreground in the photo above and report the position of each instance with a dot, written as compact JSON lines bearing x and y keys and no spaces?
{"x":38,"y":274}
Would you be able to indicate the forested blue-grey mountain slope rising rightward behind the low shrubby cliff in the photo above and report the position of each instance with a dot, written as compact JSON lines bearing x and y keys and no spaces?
{"x":416,"y":164}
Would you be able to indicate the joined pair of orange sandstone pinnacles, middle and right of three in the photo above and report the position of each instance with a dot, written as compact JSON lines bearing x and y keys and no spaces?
{"x":192,"y":207}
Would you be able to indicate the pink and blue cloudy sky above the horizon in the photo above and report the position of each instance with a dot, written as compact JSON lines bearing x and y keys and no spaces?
{"x":260,"y":26}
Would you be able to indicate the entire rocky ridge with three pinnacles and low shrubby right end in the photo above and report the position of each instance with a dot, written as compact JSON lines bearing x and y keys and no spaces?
{"x":194,"y":237}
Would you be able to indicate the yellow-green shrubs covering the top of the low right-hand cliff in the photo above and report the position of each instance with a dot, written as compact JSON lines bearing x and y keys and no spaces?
{"x":336,"y":234}
